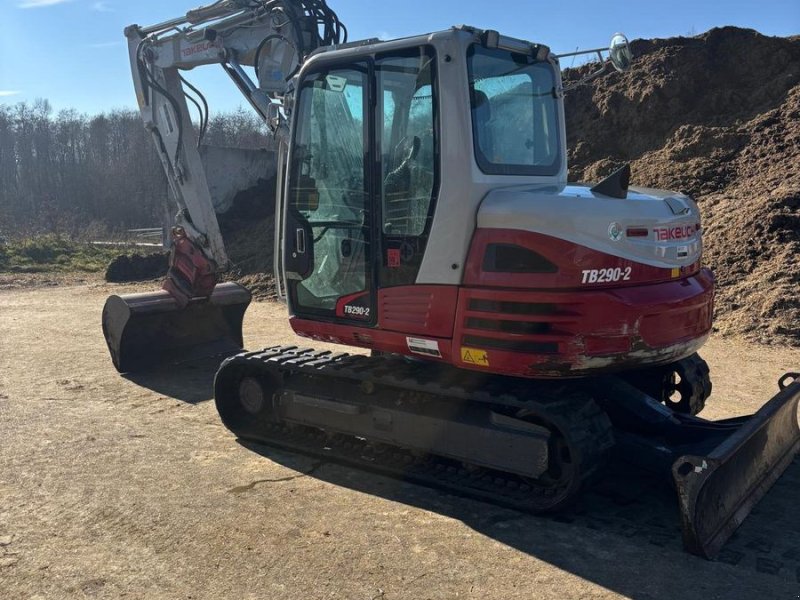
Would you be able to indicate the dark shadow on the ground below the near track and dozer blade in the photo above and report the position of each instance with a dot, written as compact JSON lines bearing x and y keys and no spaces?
{"x":624,"y":535}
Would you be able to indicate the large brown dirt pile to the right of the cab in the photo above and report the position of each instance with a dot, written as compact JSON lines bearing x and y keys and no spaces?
{"x":716,"y":116}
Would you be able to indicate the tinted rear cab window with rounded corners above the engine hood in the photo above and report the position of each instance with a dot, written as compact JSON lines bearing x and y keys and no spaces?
{"x":514,"y":113}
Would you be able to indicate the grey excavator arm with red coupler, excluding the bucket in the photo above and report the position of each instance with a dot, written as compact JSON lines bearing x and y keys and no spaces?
{"x":273,"y":37}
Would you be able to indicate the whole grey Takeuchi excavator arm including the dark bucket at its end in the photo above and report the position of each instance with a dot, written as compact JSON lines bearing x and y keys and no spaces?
{"x":260,"y":44}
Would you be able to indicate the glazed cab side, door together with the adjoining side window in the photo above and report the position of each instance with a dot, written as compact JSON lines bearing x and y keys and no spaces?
{"x":362,"y":186}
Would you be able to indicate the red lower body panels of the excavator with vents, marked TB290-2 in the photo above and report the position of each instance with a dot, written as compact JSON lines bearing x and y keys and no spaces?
{"x":540,"y":325}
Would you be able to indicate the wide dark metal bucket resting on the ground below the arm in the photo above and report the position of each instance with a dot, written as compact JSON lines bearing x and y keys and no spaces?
{"x":148,"y":330}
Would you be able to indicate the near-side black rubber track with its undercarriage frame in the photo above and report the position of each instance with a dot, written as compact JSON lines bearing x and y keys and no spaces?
{"x":543,"y":441}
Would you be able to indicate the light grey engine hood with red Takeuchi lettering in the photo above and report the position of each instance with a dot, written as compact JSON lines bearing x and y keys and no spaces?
{"x":652,"y":227}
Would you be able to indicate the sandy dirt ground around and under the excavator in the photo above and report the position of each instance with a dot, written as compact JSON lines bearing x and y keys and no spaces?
{"x":112,"y":487}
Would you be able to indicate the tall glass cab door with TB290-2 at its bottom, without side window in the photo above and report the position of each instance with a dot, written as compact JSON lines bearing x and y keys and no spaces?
{"x":328,"y":251}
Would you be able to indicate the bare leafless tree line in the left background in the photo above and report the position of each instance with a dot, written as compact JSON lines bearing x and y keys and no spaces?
{"x":68,"y":172}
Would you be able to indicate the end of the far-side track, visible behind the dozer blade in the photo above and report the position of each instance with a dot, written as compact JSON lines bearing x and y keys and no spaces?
{"x":683,"y":386}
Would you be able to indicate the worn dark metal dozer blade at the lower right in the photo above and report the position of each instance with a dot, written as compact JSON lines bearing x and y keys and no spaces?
{"x":718,"y":491}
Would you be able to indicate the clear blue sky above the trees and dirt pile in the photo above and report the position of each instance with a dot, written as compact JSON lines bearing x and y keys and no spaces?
{"x":72,"y":52}
